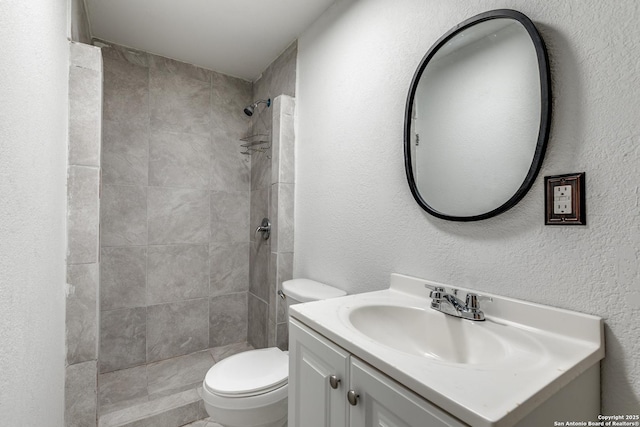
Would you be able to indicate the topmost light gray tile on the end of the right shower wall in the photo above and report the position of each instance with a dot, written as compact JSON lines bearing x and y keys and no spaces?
{"x":283,"y":151}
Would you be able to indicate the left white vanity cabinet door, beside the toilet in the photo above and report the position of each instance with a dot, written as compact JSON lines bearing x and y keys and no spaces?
{"x":313,"y":402}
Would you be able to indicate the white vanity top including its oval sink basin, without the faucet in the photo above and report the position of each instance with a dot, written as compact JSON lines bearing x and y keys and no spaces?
{"x":488,"y":373}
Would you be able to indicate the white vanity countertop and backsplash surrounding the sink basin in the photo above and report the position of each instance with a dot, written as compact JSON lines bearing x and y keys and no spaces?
{"x":547,"y":348}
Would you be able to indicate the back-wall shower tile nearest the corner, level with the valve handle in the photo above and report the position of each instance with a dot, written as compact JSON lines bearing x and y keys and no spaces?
{"x":229,"y":216}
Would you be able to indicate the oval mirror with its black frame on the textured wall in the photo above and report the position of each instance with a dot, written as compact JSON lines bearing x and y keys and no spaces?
{"x":477,"y":117}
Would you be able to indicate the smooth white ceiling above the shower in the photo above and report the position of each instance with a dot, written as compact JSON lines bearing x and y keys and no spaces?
{"x":236,"y":37}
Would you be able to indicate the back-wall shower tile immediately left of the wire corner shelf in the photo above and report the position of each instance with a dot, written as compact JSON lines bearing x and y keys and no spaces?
{"x":230,"y":169}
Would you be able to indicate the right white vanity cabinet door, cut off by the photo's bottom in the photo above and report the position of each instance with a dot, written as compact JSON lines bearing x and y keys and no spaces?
{"x":384,"y":403}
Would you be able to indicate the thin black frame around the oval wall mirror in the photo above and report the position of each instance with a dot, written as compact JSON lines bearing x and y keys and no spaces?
{"x":545,"y":111}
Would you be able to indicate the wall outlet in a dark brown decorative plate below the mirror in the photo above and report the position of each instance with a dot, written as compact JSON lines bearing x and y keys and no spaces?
{"x":564,"y":199}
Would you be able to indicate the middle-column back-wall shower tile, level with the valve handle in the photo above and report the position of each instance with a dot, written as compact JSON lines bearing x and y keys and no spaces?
{"x":178,"y":216}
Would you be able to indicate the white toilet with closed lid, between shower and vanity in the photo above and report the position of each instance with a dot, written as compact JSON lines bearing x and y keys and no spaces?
{"x":250,"y":389}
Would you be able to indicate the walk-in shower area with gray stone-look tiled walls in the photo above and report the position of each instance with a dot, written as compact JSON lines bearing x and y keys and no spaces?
{"x":180,"y":269}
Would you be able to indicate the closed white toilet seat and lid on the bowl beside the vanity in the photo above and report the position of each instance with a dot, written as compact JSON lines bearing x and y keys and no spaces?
{"x":247,"y":374}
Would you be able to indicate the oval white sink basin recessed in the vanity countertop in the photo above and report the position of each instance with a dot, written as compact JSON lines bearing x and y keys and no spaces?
{"x":428,"y":333}
